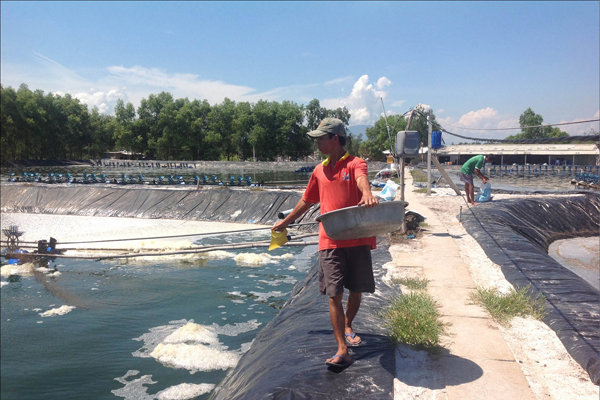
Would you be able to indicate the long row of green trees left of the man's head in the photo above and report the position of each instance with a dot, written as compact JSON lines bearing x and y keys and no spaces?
{"x":39,"y":126}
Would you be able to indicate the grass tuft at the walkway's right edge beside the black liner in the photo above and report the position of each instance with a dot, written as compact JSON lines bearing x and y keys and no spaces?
{"x":503,"y":307}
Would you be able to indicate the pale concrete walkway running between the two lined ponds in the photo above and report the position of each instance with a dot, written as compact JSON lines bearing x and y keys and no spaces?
{"x":478,"y":363}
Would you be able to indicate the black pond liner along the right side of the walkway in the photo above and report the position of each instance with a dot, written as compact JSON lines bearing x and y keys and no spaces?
{"x":516,"y":233}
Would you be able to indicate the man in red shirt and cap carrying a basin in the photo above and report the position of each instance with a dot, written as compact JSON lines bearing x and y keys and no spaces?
{"x":338,"y":182}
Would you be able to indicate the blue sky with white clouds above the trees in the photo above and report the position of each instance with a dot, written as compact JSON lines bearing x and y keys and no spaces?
{"x":475,"y":64}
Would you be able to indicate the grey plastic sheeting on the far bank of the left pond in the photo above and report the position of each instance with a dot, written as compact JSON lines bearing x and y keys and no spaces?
{"x":242,"y":206}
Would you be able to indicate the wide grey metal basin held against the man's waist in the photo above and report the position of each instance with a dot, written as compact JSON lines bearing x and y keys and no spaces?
{"x":360,"y":222}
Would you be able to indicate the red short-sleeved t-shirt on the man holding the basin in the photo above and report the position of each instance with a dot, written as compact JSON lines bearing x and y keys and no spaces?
{"x":334,"y":190}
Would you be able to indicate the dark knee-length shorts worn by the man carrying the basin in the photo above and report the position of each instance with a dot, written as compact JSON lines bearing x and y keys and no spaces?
{"x":348,"y":267}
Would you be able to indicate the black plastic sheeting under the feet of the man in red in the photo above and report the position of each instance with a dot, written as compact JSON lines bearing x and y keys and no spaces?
{"x":287,"y":358}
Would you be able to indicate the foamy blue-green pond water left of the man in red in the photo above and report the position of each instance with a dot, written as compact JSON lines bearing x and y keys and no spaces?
{"x":158,"y":328}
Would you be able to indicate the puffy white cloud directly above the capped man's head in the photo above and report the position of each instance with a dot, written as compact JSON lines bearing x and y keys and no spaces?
{"x":364,"y":102}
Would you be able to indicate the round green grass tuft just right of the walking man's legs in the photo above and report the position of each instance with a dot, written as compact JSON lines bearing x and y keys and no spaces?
{"x":413,"y":319}
